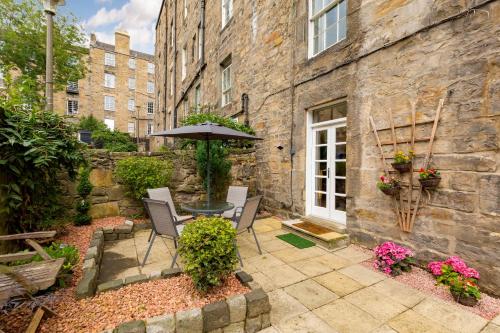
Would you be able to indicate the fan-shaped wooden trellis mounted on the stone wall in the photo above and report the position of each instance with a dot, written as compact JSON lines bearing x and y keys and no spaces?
{"x":409,"y":198}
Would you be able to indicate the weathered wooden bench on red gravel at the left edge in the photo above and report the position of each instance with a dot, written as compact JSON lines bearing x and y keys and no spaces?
{"x":29,"y":278}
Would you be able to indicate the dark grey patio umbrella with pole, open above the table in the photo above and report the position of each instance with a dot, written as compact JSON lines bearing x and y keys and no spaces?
{"x":206,"y":131}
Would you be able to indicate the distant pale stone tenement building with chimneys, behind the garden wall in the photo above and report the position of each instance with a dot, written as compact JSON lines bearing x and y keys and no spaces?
{"x":117,"y":89}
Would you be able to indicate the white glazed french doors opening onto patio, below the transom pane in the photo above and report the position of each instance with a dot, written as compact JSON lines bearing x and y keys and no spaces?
{"x":327,"y":183}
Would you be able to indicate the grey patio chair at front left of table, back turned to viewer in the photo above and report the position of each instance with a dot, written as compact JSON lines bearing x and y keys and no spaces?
{"x":163,"y":224}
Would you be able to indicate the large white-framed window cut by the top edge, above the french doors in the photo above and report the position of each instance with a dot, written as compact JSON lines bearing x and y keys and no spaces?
{"x":327,"y":24}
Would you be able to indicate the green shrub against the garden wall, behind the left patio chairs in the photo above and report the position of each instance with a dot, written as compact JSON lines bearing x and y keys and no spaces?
{"x":141,"y":173}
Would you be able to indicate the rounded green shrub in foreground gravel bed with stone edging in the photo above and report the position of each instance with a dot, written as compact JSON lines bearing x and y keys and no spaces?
{"x":207,"y":247}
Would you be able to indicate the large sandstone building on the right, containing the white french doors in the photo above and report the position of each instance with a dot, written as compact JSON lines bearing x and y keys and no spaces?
{"x":308,"y":76}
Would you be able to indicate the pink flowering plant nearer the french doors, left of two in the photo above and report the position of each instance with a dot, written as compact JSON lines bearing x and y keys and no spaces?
{"x":393,"y":259}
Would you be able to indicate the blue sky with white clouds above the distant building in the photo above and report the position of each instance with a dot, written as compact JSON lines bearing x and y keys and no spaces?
{"x":103,"y":17}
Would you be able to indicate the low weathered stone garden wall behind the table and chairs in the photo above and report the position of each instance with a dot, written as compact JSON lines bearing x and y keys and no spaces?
{"x":109,"y":197}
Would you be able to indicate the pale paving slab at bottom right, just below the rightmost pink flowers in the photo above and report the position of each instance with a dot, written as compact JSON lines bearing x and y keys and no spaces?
{"x":455,"y":318}
